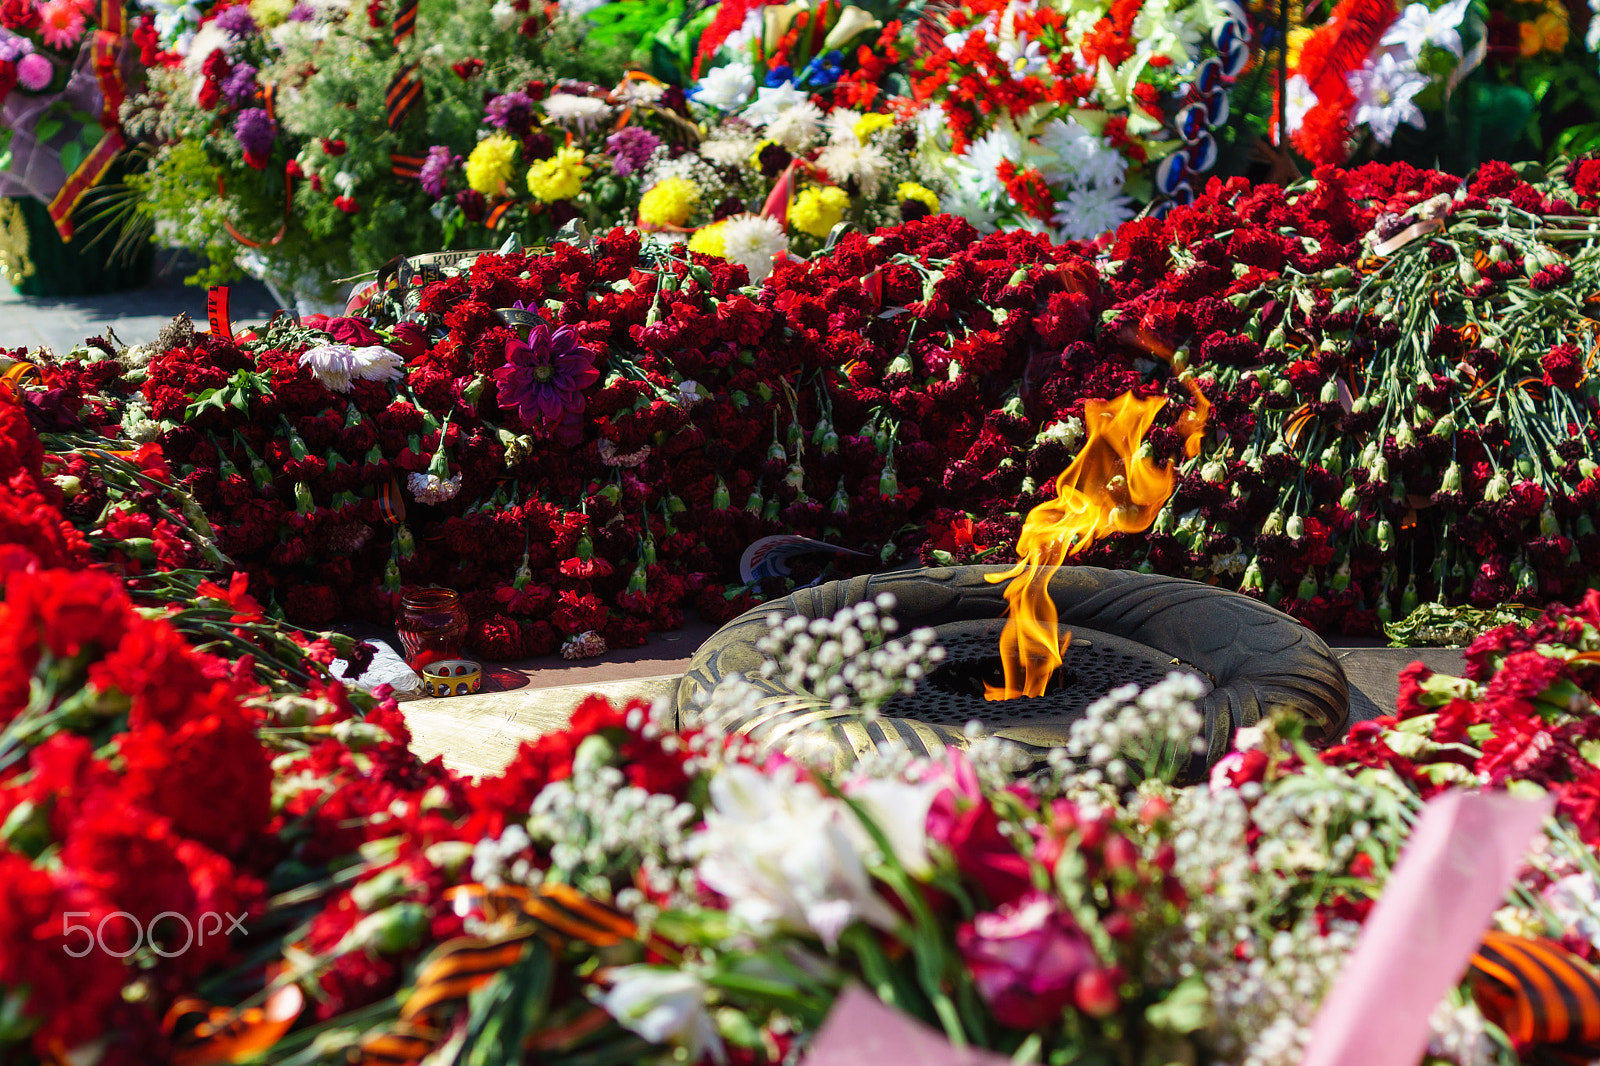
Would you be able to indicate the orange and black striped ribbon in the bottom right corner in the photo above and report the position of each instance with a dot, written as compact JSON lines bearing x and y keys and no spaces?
{"x":1540,"y":995}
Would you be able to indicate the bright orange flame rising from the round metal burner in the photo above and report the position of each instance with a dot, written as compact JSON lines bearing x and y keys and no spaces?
{"x":1110,"y":487}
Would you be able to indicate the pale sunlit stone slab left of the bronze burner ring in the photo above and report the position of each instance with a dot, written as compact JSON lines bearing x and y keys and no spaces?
{"x":479,"y":735}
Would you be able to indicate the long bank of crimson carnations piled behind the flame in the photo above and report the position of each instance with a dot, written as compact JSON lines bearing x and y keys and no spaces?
{"x":911,"y":395}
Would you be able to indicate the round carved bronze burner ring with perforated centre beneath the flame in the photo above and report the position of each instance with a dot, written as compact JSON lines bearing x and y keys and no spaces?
{"x":1126,"y":628}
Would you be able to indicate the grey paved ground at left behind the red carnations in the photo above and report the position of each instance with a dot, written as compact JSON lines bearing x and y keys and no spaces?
{"x":137,"y":316}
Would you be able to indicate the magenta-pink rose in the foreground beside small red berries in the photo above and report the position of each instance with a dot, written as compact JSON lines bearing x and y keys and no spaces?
{"x":1026,"y":960}
